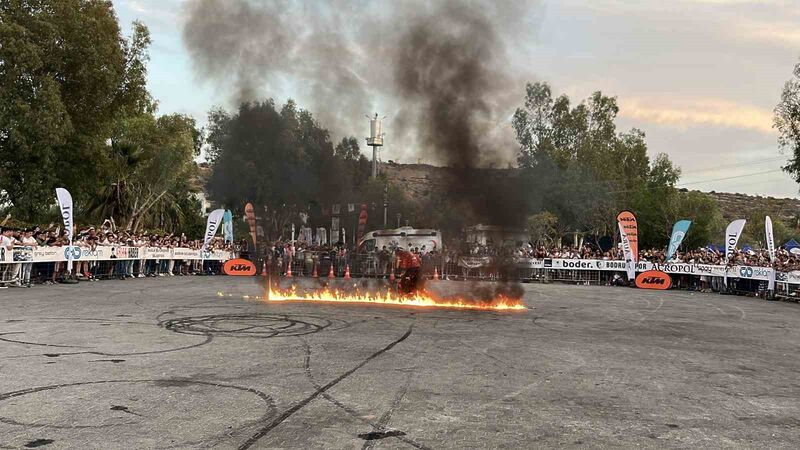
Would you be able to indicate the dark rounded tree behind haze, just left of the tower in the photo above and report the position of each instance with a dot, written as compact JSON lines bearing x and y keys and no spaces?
{"x":283,"y":161}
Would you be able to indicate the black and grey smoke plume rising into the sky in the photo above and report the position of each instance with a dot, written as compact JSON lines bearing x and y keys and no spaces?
{"x":439,"y":69}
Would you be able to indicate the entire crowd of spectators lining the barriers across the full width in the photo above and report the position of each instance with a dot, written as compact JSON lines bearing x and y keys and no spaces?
{"x":304,"y":258}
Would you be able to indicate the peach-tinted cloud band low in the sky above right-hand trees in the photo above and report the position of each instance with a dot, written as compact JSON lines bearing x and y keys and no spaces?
{"x":684,"y":114}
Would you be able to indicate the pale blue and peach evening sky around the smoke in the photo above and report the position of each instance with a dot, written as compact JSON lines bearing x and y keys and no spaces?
{"x":701,"y":78}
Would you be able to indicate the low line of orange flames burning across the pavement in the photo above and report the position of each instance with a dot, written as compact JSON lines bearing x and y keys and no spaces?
{"x":388,"y":297}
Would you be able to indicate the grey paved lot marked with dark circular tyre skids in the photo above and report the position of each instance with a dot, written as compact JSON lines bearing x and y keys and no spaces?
{"x":166,"y":363}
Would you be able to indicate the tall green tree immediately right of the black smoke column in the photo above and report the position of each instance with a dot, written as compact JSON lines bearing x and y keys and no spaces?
{"x":578,"y":166}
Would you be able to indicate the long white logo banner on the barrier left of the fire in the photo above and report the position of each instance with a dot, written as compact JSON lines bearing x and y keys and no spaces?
{"x":106,"y":253}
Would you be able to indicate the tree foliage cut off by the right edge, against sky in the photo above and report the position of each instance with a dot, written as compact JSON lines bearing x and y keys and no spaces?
{"x":787,"y":122}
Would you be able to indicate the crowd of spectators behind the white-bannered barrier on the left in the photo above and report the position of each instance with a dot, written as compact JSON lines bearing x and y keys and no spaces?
{"x":90,"y":238}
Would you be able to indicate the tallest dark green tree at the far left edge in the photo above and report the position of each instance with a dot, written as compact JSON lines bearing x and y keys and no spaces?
{"x":66,"y":75}
